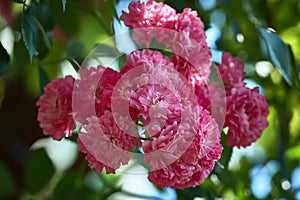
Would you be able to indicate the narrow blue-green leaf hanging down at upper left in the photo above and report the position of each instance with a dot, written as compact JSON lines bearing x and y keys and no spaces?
{"x":30,"y":34}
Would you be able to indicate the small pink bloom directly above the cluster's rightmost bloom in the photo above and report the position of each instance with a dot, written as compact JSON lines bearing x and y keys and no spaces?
{"x":232,"y":71}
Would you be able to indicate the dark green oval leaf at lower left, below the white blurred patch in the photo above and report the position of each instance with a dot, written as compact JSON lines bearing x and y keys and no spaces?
{"x":39,"y":171}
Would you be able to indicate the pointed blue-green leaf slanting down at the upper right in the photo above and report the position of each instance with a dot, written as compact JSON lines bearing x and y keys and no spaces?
{"x":277,"y":52}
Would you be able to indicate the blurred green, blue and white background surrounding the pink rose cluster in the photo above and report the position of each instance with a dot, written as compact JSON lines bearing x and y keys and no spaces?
{"x":53,"y":39}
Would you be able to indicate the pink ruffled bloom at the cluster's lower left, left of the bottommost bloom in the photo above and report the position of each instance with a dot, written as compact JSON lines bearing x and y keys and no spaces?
{"x":105,"y":144}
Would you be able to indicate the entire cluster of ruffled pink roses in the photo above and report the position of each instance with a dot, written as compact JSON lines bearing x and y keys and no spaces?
{"x":161,"y":106}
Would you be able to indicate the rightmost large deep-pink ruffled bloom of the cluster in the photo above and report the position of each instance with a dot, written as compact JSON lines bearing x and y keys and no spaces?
{"x":246,"y":117}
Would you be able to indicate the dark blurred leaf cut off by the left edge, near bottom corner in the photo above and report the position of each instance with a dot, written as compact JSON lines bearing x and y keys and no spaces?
{"x":7,"y":184}
